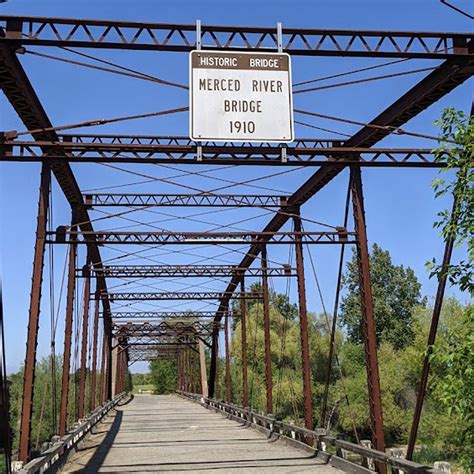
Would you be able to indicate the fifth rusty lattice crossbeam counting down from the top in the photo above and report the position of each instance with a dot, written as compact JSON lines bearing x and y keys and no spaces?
{"x":155,"y":271}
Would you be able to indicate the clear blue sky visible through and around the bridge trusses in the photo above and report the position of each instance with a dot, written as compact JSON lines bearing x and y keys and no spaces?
{"x":399,"y":203}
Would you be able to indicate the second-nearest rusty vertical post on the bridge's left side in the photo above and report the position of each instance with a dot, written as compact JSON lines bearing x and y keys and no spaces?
{"x":71,"y":287}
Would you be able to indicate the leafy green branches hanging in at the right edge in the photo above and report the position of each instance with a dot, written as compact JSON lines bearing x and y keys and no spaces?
{"x":456,"y":152}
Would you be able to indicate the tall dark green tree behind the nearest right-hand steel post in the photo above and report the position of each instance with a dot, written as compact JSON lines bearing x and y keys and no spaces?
{"x":396,"y":292}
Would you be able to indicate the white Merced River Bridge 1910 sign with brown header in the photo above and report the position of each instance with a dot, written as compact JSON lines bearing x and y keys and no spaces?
{"x":240,"y":97}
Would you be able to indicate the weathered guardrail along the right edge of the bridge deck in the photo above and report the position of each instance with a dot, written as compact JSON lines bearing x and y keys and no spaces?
{"x":341,"y":454}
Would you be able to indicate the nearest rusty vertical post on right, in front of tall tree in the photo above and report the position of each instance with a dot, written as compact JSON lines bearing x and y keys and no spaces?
{"x":367,"y":310}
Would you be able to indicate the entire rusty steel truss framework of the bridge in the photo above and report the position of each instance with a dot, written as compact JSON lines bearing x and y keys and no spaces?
{"x":119,"y":336}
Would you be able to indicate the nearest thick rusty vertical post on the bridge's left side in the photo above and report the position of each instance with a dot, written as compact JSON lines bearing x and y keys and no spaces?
{"x":34,"y":314}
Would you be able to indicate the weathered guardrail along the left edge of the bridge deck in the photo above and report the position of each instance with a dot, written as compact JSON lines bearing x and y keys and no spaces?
{"x":53,"y":457}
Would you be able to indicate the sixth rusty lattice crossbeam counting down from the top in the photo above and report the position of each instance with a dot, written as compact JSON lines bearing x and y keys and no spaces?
{"x":171,"y":295}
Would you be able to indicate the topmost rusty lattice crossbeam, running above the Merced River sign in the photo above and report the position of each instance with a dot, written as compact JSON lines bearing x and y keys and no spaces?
{"x":178,"y":37}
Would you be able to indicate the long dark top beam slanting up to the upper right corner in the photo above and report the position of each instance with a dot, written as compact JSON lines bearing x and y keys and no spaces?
{"x":433,"y":87}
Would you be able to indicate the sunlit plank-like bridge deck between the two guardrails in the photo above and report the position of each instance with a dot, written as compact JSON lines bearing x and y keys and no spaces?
{"x":159,"y":433}
